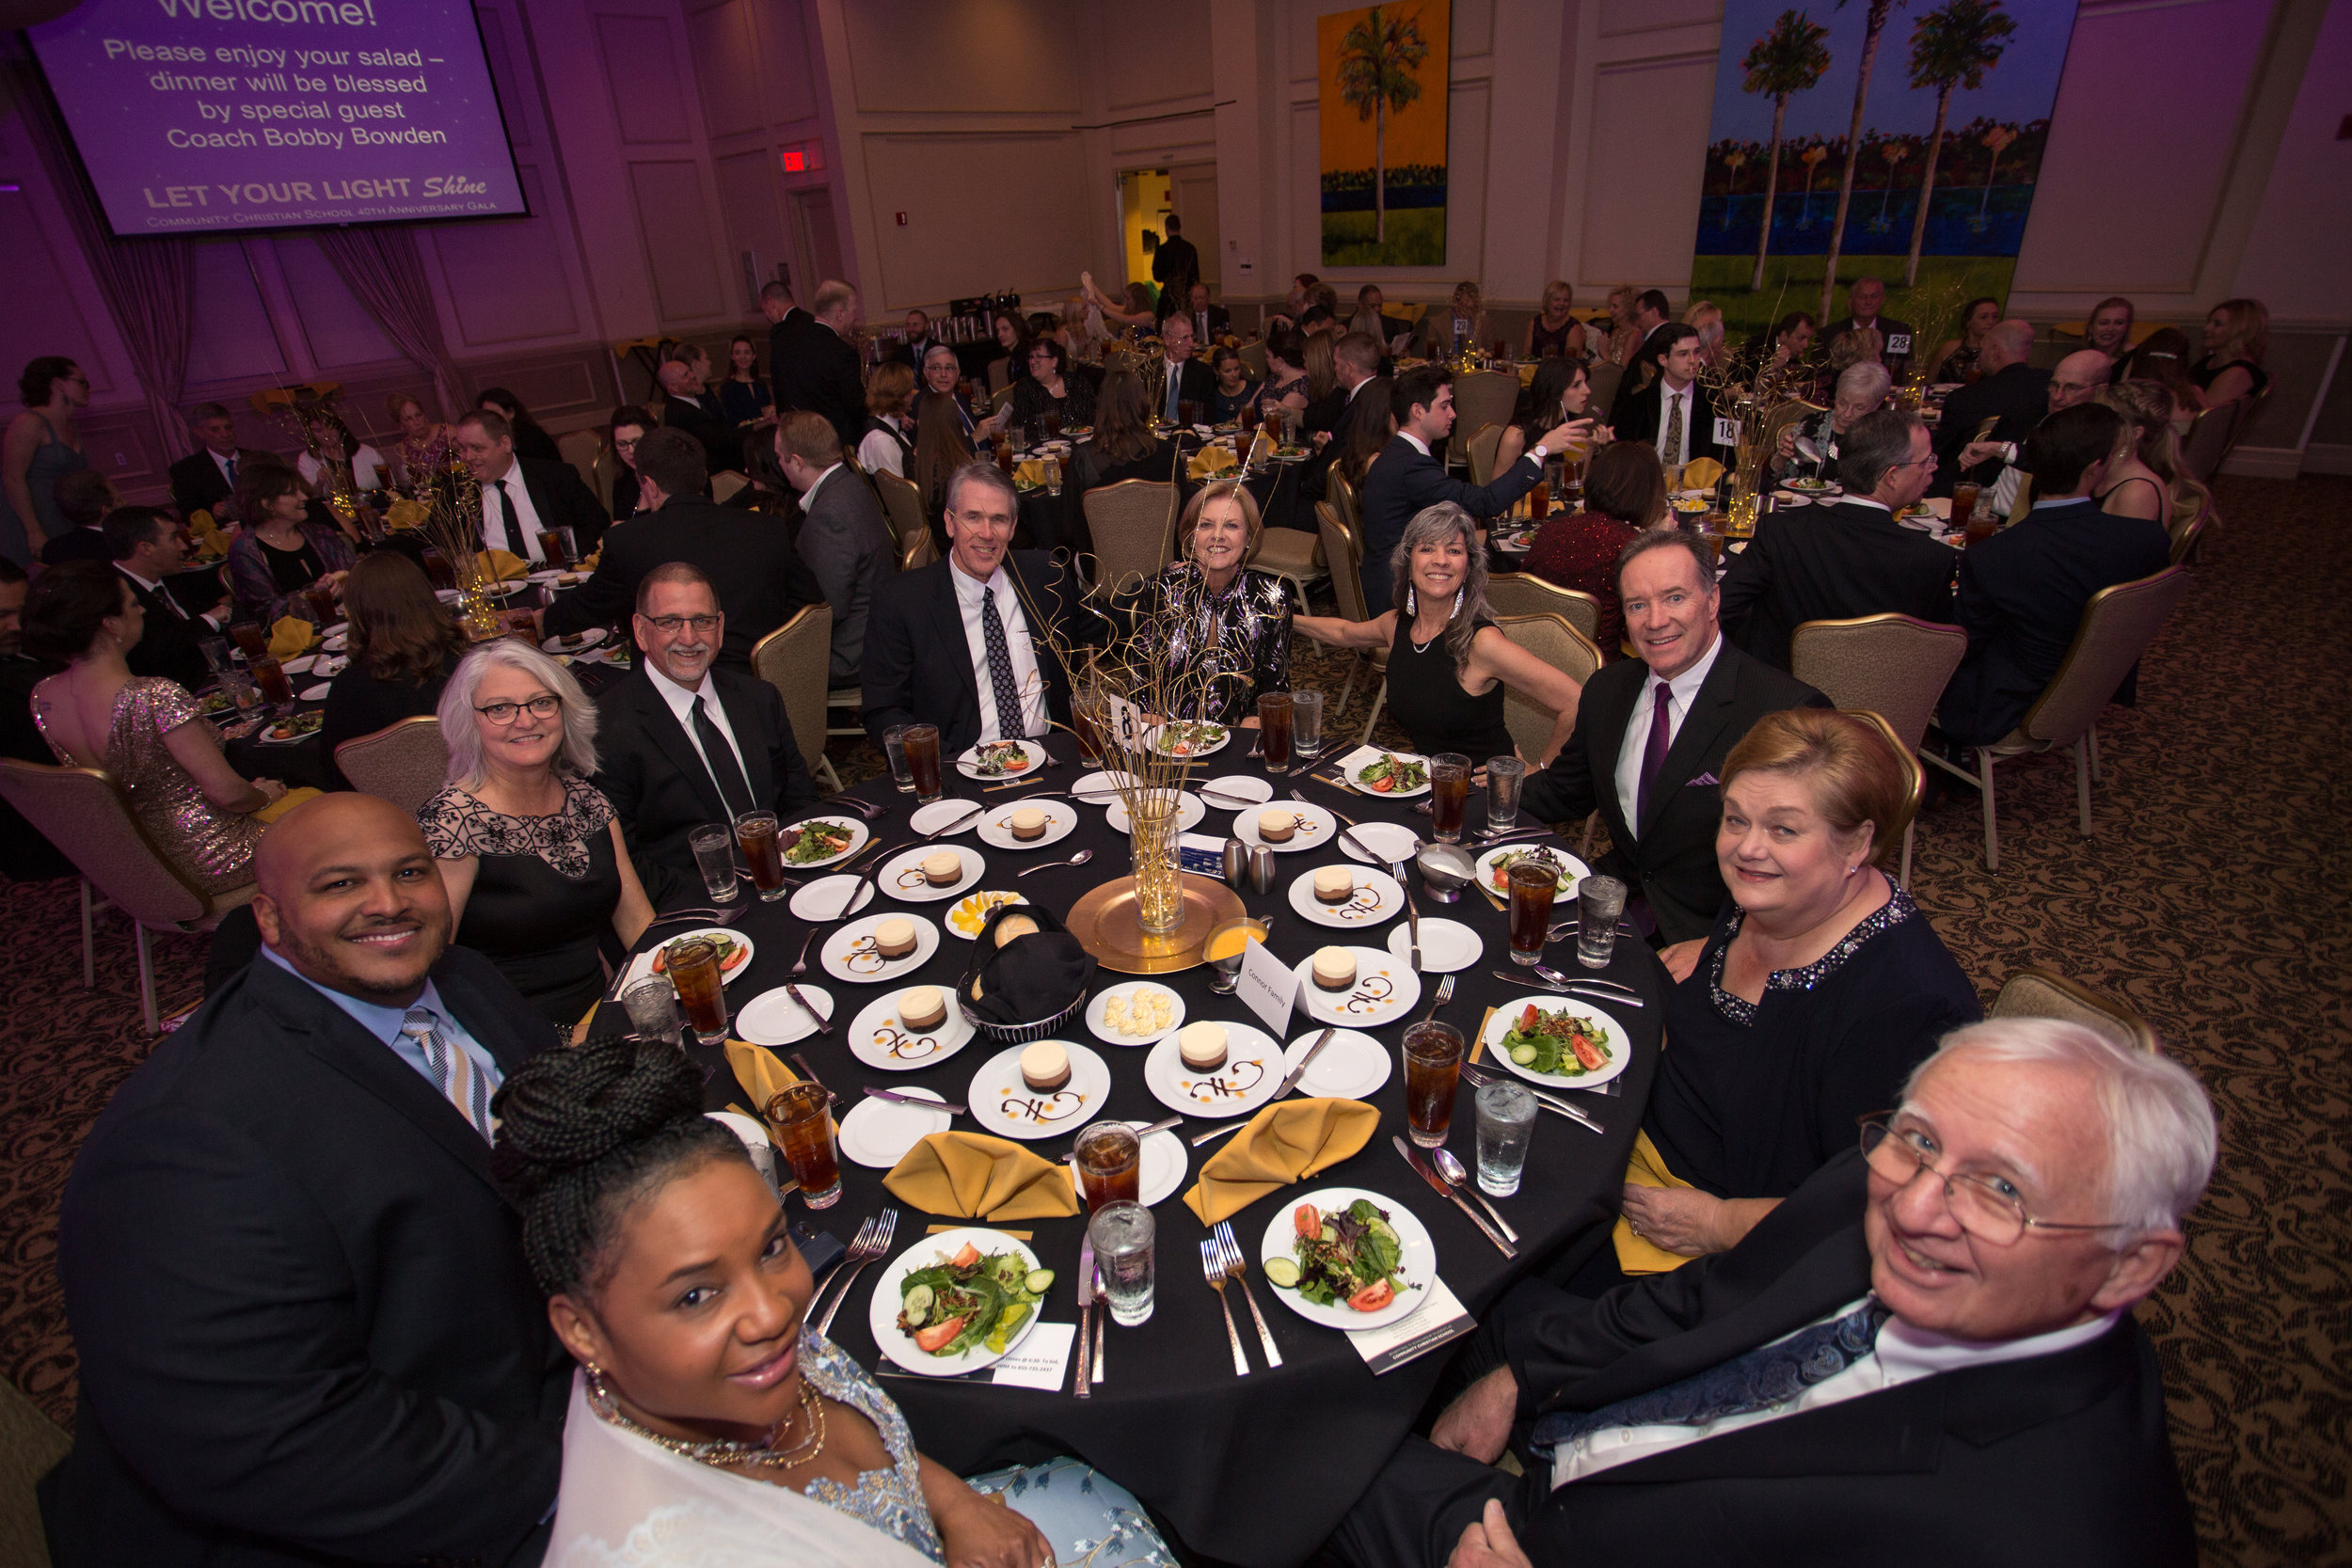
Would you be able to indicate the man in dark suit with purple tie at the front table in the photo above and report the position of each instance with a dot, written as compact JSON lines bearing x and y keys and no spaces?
{"x":1648,"y":765}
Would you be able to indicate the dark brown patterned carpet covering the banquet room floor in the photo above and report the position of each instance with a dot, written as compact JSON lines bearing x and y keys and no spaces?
{"x":2212,"y":899}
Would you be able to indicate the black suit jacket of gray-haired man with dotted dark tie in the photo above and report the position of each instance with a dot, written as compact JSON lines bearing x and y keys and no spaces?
{"x":918,"y":666}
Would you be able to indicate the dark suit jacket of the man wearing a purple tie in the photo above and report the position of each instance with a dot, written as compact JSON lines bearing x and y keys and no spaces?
{"x":1671,"y":855}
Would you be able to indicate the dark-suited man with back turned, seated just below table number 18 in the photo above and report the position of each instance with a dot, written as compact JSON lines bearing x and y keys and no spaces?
{"x":1833,"y":563}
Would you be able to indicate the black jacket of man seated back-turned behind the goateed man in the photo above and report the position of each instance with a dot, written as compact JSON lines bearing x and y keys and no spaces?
{"x":747,"y":556}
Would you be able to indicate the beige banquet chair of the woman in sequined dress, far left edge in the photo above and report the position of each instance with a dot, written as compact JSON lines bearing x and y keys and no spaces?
{"x":88,"y":817}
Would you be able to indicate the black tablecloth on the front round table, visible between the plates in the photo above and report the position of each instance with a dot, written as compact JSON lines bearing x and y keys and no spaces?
{"x":1250,"y":1470}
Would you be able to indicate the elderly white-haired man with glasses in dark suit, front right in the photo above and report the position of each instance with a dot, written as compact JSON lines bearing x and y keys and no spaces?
{"x":1923,"y":1358}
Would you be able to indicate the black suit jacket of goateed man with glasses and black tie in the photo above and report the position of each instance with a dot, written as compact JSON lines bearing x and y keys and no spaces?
{"x":657,"y":782}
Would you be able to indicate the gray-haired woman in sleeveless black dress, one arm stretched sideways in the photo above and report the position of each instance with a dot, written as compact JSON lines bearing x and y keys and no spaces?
{"x":1448,"y":659}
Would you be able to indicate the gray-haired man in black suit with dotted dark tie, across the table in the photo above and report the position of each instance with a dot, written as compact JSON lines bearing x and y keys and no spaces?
{"x":940,"y":634}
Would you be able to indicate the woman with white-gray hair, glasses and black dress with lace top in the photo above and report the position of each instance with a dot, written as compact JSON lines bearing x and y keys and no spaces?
{"x":530,"y":850}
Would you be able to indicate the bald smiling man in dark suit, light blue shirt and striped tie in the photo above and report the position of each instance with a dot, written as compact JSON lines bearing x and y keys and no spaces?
{"x":305,"y":1322}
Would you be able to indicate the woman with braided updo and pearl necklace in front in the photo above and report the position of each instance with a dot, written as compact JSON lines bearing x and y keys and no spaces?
{"x":709,"y":1426}
